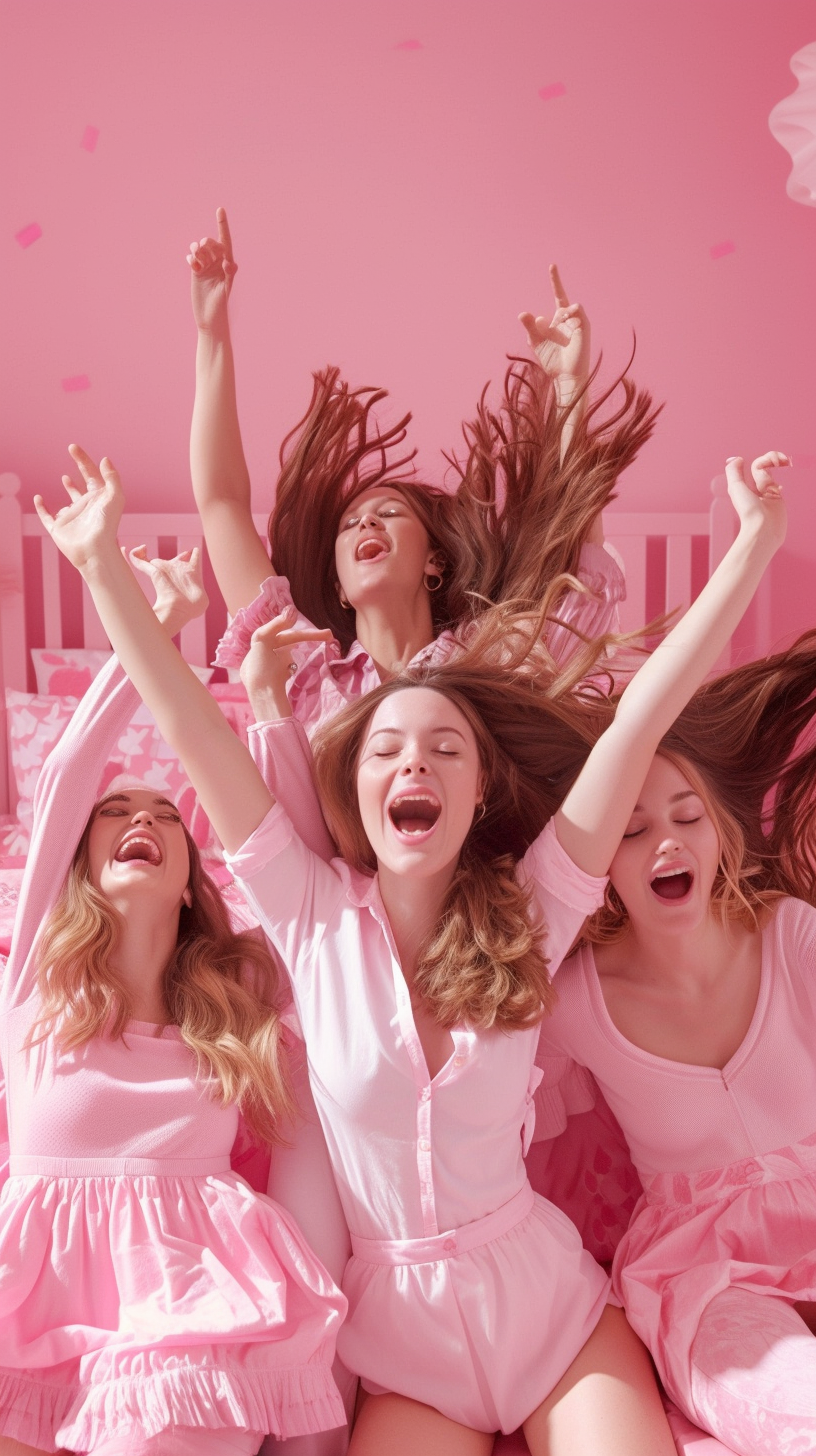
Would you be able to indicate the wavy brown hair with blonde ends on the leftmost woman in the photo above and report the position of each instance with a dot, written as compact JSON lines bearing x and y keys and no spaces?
{"x":221,"y":989}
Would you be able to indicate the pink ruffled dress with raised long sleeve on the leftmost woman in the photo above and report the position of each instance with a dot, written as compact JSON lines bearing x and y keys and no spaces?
{"x":144,"y":1285}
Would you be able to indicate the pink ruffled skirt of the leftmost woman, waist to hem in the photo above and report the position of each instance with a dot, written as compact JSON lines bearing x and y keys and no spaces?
{"x":135,"y":1298}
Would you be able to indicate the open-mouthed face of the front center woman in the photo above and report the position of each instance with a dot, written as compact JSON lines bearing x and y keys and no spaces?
{"x":419,"y":783}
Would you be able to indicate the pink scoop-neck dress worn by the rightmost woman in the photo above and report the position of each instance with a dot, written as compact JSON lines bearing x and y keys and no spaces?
{"x":723,"y":1241}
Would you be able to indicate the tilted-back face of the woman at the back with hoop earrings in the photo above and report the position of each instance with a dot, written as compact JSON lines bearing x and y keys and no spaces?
{"x":382,"y":544}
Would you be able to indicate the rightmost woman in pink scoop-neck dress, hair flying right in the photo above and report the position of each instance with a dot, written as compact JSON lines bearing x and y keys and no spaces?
{"x":694,"y":1008}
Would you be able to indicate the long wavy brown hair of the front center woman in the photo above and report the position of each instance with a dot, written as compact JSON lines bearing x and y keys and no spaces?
{"x":486,"y":962}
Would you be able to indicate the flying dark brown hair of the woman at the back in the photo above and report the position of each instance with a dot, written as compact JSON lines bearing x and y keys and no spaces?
{"x":515,"y":522}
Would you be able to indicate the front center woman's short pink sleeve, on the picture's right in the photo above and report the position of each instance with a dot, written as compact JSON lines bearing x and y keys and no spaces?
{"x":565,"y":895}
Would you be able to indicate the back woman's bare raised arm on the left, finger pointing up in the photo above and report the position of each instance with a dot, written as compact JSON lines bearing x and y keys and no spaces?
{"x":221,"y":480}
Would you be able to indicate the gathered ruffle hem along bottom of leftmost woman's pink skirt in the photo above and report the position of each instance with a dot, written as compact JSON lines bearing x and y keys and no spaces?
{"x":286,"y":1403}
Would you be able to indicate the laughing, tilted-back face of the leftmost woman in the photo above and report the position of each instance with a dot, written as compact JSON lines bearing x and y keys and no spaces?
{"x":138,"y":841}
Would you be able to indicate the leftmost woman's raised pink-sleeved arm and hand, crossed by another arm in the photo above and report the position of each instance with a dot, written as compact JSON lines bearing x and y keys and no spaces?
{"x":68,"y":786}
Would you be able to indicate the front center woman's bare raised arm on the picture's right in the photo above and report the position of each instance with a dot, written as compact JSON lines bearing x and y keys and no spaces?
{"x":592,"y":820}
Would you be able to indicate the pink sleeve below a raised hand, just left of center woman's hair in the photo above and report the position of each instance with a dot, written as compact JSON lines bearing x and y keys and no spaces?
{"x":283,"y":755}
